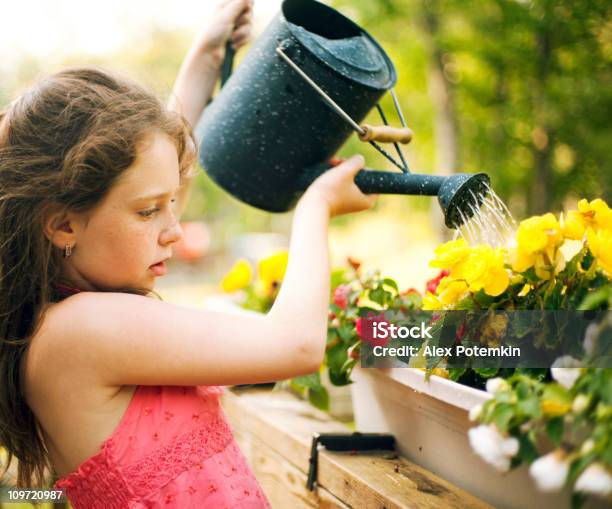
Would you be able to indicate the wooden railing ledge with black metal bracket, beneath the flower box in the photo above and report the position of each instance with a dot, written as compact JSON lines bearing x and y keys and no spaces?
{"x":275,"y":429}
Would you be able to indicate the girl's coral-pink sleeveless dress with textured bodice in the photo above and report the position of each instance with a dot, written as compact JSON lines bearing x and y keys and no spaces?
{"x":172,"y":448}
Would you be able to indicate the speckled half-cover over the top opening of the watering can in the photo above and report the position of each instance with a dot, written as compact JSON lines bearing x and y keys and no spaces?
{"x":358,"y":58}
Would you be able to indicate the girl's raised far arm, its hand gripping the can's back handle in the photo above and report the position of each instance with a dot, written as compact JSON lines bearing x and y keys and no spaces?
{"x":199,"y":71}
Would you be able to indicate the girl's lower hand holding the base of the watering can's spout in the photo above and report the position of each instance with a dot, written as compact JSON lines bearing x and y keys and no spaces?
{"x":338,"y":189}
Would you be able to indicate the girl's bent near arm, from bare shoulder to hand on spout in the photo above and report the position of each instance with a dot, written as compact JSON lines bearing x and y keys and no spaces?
{"x":115,"y":339}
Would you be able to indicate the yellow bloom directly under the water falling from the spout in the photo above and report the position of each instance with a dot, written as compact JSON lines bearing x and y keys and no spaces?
{"x":484,"y":268}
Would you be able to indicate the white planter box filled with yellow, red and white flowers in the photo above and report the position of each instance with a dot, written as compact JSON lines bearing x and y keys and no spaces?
{"x":545,"y":434}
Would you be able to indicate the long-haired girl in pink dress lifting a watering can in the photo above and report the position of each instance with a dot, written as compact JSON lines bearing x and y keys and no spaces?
{"x":114,"y":393}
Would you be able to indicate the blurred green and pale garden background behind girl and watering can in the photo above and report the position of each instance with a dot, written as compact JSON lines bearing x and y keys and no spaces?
{"x":520,"y":89}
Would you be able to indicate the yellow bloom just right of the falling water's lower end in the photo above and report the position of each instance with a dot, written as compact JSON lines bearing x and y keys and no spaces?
{"x":538,"y":239}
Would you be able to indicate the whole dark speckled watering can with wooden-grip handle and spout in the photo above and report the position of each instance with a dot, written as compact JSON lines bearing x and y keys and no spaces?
{"x":298,"y":94}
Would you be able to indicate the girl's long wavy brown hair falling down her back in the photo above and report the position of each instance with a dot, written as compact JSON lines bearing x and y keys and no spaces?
{"x":63,"y":145}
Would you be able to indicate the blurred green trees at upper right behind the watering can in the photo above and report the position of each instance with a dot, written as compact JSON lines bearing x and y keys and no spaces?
{"x":519,"y":89}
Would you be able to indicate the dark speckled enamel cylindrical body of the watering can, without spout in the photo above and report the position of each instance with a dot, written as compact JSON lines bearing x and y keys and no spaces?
{"x":266,"y":134}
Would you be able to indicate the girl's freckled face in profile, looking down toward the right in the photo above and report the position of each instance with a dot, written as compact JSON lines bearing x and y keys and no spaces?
{"x":133,"y":228}
